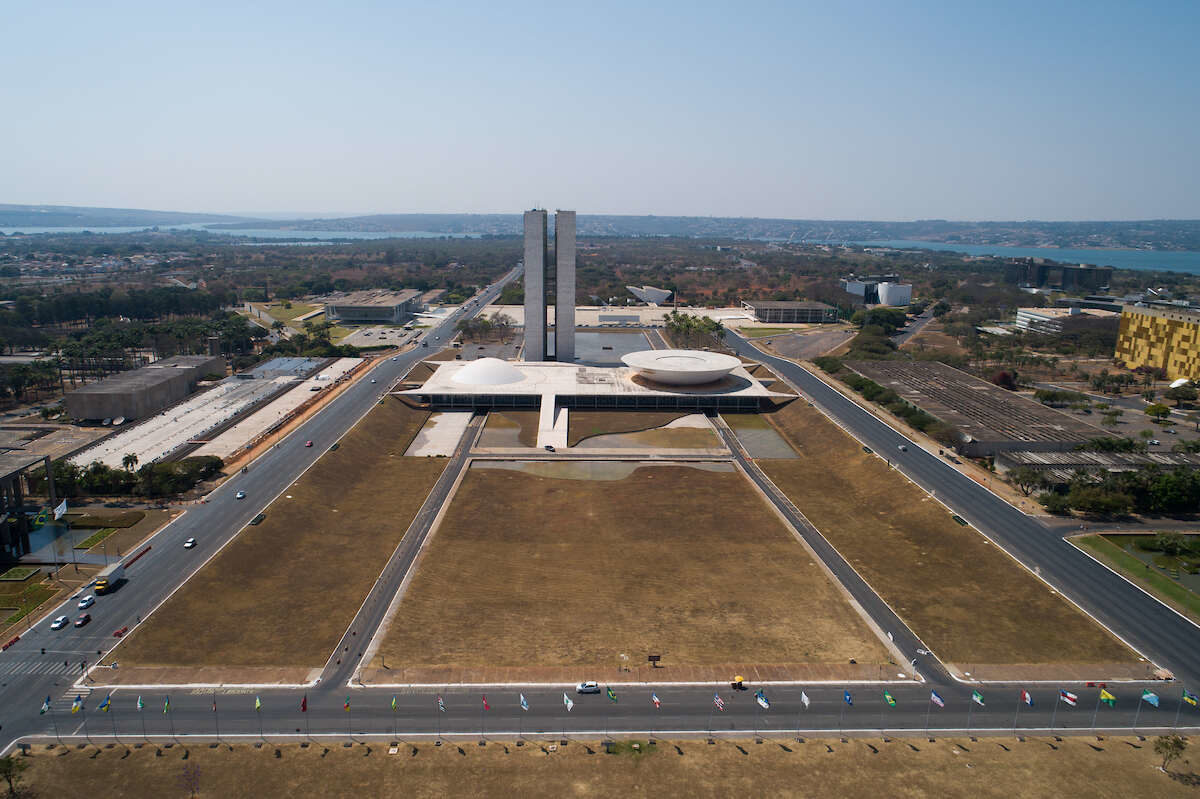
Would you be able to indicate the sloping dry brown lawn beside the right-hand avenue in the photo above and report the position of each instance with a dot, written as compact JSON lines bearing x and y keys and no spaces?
{"x":967,"y":599}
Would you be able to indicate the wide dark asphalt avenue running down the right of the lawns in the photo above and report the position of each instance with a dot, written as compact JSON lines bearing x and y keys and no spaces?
{"x":1150,"y":627}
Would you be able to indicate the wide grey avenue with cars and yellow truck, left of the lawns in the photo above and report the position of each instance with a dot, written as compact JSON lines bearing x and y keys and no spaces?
{"x":27,"y":676}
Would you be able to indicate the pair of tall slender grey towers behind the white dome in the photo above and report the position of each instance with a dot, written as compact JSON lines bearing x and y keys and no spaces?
{"x":537,"y":268}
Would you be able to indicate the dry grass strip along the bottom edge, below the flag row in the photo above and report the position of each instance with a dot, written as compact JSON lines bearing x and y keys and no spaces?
{"x":1033,"y":770}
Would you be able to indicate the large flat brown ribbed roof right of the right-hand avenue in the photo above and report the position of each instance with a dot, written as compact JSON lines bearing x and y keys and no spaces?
{"x":981,"y":411}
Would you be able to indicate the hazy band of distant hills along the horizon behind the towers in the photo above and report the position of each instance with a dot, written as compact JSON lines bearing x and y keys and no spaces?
{"x":1150,"y":235}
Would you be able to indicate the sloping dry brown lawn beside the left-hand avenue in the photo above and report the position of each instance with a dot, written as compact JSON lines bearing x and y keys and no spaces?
{"x":283,"y":593}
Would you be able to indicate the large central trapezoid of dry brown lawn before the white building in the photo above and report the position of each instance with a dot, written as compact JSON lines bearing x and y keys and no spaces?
{"x":573,"y":564}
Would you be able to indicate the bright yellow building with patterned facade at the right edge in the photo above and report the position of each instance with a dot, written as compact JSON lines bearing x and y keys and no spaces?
{"x":1161,"y":338}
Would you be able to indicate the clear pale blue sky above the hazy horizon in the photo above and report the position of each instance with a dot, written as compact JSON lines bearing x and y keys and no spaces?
{"x":833,"y":111}
